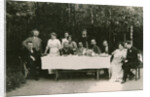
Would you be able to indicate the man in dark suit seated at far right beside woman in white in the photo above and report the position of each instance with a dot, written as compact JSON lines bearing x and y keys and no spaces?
{"x":130,"y":62}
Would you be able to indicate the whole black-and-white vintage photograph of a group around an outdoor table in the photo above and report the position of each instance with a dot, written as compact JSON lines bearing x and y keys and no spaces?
{"x":57,"y":48}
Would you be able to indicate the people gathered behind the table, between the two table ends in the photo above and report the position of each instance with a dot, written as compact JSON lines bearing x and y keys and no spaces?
{"x":67,"y":46}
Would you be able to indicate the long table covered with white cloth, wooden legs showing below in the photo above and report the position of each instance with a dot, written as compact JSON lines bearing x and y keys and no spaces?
{"x":76,"y":63}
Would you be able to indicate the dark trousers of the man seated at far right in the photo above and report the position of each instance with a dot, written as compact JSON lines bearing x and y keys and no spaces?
{"x":127,"y":68}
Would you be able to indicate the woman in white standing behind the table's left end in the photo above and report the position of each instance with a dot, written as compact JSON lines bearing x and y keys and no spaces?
{"x":53,"y":45}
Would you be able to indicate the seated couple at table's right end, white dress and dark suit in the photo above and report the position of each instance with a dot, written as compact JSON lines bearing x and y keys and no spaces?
{"x":125,"y":58}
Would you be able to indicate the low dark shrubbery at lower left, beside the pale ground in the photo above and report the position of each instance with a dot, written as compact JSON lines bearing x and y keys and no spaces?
{"x":14,"y":73}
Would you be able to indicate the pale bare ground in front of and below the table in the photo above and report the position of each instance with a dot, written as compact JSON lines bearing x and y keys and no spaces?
{"x":45,"y":86}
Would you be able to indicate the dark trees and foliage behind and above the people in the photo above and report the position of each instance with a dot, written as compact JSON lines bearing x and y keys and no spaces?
{"x":102,"y":22}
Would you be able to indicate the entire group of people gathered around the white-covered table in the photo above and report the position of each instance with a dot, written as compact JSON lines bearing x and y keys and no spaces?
{"x":124,"y":58}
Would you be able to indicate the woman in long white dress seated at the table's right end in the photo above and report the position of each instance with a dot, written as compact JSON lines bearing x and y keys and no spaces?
{"x":116,"y":65}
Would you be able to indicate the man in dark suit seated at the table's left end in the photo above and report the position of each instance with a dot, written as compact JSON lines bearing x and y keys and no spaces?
{"x":32,"y":60}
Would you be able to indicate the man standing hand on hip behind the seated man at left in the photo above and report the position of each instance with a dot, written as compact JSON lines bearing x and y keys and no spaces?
{"x":37,"y":42}
